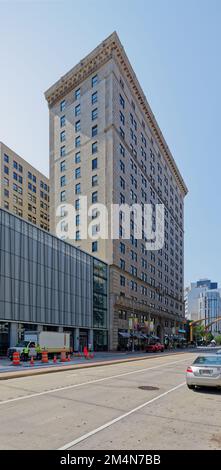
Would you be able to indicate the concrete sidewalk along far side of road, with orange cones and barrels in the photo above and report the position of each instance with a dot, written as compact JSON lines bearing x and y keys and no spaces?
{"x":8,"y":371}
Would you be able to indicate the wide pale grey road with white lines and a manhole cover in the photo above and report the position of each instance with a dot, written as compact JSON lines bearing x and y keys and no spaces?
{"x":105,"y":408}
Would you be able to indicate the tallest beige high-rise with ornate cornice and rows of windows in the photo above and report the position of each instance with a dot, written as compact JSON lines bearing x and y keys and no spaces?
{"x":105,"y":143}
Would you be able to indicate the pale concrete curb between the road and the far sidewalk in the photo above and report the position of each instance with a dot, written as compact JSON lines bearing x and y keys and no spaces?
{"x":50,"y":370}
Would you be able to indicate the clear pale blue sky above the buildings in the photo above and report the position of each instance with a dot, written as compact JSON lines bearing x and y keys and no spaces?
{"x":174,"y":47}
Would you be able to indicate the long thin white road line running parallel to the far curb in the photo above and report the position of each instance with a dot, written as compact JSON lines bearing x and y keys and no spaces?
{"x":68,"y":387}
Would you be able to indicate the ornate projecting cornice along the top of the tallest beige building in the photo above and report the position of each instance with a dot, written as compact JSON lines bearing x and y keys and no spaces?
{"x":112,"y":48}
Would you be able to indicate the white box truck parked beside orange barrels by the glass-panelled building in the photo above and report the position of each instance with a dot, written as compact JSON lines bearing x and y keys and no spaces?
{"x":37,"y":341}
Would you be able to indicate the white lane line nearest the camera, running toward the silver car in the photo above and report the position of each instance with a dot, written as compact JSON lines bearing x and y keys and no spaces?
{"x":110,"y":423}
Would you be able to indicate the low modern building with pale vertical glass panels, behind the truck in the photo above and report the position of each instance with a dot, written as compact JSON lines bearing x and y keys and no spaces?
{"x":46,"y":283}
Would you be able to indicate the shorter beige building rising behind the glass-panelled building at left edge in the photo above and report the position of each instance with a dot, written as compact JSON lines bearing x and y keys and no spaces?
{"x":23,"y":189}
